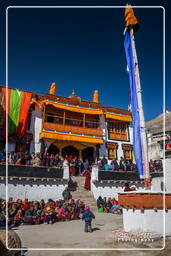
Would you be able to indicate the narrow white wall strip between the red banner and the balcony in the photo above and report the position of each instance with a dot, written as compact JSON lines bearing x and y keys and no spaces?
{"x":35,"y":129}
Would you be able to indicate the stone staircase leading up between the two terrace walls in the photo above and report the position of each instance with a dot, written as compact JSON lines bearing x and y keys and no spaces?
{"x":83,"y":194}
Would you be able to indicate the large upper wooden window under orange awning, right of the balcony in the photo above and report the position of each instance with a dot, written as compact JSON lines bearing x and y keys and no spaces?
{"x":118,"y":130}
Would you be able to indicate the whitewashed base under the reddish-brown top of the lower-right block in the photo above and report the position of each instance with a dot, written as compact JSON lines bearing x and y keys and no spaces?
{"x":148,"y":221}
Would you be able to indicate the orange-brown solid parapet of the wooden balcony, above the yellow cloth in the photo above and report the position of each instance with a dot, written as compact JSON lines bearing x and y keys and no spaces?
{"x":71,"y":128}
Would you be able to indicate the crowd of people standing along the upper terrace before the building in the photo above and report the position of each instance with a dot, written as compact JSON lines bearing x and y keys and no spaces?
{"x":76,"y":165}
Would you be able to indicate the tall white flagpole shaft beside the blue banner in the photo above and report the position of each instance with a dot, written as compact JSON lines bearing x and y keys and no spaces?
{"x":141,"y":111}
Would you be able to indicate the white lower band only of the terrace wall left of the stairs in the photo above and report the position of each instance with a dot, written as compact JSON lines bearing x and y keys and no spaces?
{"x":33,"y":190}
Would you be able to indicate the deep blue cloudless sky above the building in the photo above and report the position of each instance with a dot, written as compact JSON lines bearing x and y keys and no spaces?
{"x":83,"y":49}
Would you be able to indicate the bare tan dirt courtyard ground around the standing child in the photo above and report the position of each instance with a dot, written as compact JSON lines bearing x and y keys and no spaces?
{"x":71,"y":235}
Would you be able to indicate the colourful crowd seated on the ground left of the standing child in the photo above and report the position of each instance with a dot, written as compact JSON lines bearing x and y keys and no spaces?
{"x":37,"y":212}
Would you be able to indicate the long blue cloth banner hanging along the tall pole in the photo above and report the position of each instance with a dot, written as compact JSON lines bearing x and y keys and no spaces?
{"x":137,"y":143}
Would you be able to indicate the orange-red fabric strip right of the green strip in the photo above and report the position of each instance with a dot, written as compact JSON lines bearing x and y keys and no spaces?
{"x":25,"y":105}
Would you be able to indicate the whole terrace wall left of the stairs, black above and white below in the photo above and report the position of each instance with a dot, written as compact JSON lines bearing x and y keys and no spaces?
{"x":34,"y":183}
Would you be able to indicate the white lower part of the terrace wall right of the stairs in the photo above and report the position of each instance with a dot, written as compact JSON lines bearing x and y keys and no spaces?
{"x":110,"y":189}
